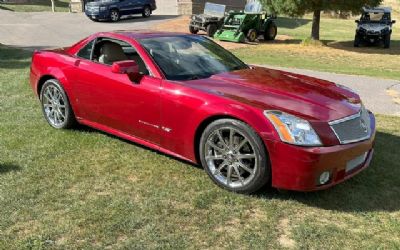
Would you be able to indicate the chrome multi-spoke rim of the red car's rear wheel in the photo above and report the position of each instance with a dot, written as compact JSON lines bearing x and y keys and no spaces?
{"x":54,"y":106}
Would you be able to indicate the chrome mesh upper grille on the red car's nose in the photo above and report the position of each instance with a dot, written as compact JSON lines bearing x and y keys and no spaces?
{"x":353,"y":128}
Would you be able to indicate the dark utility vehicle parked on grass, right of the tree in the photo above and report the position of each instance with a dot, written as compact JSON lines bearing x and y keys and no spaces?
{"x":375,"y":25}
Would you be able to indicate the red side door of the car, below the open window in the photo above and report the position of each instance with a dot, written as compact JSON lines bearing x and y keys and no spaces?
{"x":114,"y":101}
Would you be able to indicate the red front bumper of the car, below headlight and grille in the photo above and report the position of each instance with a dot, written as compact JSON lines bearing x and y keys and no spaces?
{"x":299,"y":168}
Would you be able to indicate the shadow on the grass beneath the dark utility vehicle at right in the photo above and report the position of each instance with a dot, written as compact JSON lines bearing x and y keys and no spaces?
{"x":366,"y":48}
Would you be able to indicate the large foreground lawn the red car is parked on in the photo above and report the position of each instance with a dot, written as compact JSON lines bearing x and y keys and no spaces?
{"x":84,"y":189}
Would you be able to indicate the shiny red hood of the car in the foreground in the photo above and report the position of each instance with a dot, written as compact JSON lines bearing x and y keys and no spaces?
{"x":268,"y":89}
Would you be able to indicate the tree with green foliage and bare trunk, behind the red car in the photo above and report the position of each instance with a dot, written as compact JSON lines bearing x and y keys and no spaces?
{"x":297,"y":8}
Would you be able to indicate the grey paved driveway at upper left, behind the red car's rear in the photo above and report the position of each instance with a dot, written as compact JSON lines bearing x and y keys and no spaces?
{"x":46,"y":29}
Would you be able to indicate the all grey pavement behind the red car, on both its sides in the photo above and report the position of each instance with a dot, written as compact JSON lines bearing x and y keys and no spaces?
{"x":46,"y":29}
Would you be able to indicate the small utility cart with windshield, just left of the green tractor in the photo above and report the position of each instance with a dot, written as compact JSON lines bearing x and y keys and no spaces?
{"x":210,"y":21}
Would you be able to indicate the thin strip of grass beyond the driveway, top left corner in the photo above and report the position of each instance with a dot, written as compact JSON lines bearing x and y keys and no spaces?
{"x":36,"y":6}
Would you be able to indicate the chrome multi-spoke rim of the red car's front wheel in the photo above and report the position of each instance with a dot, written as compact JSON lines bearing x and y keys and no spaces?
{"x":231,"y":157}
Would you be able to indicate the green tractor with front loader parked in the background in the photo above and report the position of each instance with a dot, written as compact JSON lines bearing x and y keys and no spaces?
{"x":247,"y":25}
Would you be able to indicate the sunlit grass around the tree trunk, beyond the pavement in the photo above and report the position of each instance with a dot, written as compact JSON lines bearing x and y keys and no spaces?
{"x":337,"y":55}
